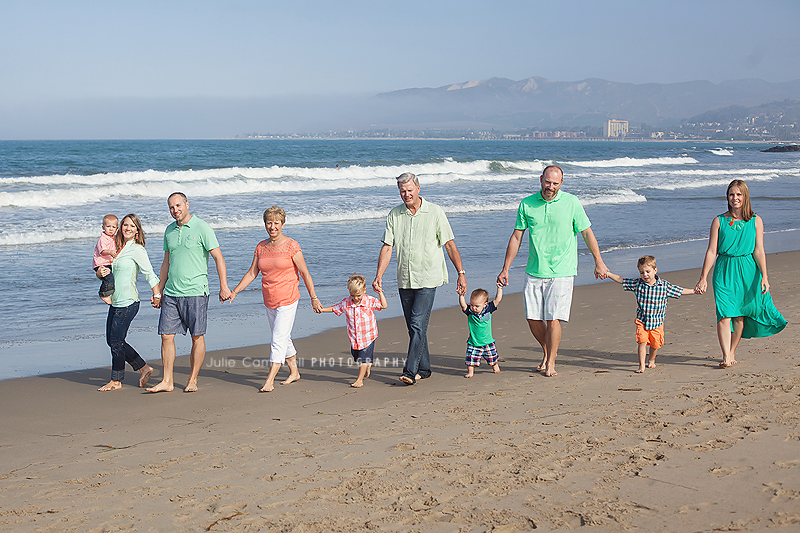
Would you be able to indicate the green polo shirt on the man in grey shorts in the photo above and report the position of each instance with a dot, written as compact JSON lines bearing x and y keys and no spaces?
{"x":188,"y":248}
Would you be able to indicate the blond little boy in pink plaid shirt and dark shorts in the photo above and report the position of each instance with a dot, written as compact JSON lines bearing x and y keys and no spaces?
{"x":359,"y":314}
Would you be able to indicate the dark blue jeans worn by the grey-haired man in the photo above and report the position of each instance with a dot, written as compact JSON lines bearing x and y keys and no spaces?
{"x":417,"y":305}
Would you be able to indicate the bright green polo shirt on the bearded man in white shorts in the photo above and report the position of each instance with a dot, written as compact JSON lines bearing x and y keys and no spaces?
{"x":553,"y":228}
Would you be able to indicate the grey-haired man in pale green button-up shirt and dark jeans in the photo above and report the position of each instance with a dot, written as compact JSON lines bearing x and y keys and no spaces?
{"x":418,"y":229}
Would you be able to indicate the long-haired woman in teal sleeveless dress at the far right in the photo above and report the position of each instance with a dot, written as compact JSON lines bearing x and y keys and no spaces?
{"x":741,"y":285}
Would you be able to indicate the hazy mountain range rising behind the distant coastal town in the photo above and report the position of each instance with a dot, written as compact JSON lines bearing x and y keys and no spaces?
{"x":538,"y":102}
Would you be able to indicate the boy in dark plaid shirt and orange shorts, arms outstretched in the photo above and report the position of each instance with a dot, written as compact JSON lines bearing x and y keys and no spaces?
{"x":651,"y":296}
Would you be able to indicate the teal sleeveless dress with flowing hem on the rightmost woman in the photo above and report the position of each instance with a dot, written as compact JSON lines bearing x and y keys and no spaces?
{"x":737,"y":281}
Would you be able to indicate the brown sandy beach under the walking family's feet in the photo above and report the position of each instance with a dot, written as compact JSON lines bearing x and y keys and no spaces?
{"x":686,"y":446}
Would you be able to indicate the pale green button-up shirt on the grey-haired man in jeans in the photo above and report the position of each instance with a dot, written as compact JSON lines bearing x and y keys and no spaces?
{"x":418,"y":240}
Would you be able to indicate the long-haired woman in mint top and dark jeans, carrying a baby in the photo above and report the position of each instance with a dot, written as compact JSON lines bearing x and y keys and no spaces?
{"x":130,"y":260}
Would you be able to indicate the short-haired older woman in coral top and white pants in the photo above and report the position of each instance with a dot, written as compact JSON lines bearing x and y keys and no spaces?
{"x":281,"y":263}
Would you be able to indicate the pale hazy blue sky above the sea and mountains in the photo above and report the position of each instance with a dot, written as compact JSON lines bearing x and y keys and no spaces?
{"x":66,"y":64}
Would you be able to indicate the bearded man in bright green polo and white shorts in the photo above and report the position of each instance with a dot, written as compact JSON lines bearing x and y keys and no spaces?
{"x":553,"y":219}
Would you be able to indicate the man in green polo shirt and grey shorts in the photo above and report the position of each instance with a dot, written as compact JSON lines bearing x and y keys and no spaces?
{"x":184,"y":283}
